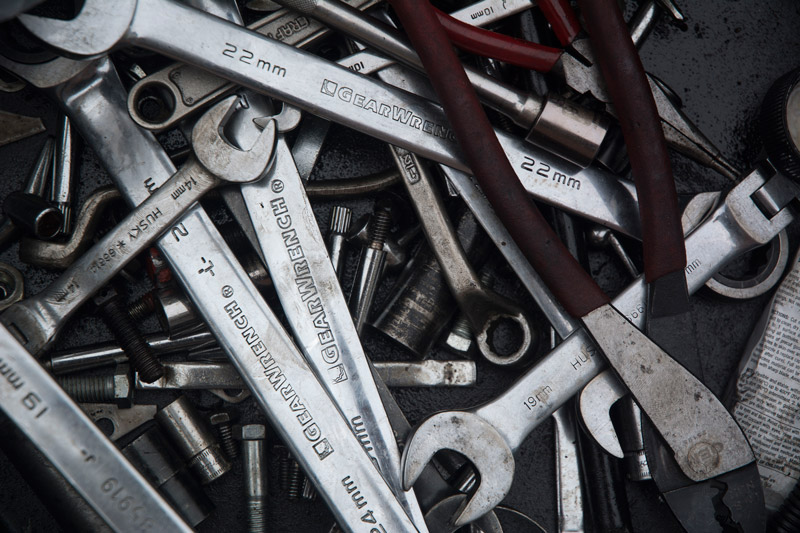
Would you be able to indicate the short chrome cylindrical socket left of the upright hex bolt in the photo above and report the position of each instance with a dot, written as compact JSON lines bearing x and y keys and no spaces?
{"x":194,"y":439}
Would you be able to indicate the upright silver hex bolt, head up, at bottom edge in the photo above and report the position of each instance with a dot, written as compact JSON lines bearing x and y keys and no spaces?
{"x":255,"y":481}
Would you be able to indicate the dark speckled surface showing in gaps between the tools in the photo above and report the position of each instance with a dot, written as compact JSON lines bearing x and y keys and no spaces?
{"x":720,"y":63}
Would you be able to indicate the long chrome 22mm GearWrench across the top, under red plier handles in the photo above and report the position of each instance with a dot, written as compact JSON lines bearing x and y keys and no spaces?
{"x":335,"y":93}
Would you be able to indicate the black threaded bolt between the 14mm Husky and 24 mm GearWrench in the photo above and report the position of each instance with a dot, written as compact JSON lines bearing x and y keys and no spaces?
{"x":130,"y":339}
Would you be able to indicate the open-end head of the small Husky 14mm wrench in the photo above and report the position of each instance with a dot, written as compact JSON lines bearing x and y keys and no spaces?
{"x":220,"y":157}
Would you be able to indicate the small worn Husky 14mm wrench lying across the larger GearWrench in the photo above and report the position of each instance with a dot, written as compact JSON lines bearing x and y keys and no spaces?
{"x":37,"y":320}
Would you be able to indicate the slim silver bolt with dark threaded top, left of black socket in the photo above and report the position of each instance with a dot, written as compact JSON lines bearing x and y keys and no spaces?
{"x":370,"y":267}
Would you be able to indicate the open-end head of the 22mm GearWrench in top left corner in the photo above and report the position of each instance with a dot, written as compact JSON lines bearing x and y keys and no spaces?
{"x":96,"y":29}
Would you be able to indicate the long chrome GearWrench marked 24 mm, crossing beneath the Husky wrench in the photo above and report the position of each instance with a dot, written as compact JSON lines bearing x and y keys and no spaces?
{"x":280,"y":380}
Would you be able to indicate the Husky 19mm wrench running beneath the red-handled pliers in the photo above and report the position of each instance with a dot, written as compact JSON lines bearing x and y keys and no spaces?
{"x":488,"y":435}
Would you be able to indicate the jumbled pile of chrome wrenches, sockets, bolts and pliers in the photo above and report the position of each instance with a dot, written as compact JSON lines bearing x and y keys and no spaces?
{"x":262,"y":326}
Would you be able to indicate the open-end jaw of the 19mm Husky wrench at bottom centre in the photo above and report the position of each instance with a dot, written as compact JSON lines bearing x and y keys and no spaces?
{"x":476,"y":439}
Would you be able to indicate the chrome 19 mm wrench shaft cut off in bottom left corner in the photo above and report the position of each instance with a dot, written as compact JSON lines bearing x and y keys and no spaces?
{"x":77,"y":448}
